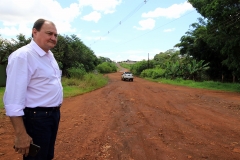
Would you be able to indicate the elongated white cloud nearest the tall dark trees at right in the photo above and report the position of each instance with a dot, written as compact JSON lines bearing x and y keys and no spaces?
{"x":174,"y":11}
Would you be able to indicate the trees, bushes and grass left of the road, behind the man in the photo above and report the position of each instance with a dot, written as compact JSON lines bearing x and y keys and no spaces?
{"x":82,"y":70}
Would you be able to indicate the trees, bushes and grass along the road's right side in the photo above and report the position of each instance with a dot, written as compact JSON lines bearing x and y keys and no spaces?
{"x":207,"y":56}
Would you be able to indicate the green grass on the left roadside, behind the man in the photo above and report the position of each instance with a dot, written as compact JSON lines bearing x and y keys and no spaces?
{"x":74,"y":87}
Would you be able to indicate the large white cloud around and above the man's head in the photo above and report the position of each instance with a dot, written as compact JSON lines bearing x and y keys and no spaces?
{"x":19,"y":16}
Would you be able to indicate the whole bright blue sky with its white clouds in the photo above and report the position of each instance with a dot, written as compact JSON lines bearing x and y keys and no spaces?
{"x":117,"y":29}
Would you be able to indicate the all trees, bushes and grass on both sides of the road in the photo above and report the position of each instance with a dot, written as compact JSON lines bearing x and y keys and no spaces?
{"x":207,"y":56}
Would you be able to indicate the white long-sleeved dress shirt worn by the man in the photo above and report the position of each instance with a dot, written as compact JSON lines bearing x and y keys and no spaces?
{"x":33,"y":79}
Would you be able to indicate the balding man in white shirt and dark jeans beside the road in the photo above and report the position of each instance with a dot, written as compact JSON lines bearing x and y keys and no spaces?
{"x":34,"y":92}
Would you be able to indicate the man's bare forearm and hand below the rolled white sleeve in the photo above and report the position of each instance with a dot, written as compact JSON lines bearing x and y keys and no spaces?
{"x":22,"y":139}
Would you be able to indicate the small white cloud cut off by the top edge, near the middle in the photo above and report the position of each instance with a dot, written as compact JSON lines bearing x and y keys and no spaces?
{"x":105,"y":6}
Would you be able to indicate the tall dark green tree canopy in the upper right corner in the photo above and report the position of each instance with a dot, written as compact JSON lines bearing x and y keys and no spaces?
{"x":216,"y":38}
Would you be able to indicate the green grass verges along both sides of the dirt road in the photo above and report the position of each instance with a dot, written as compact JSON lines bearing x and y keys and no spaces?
{"x":90,"y":82}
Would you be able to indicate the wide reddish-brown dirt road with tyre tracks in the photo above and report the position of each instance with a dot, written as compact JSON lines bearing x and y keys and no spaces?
{"x":142,"y":120}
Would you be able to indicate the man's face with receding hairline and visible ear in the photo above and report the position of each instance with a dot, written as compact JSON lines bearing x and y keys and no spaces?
{"x":46,"y":38}
